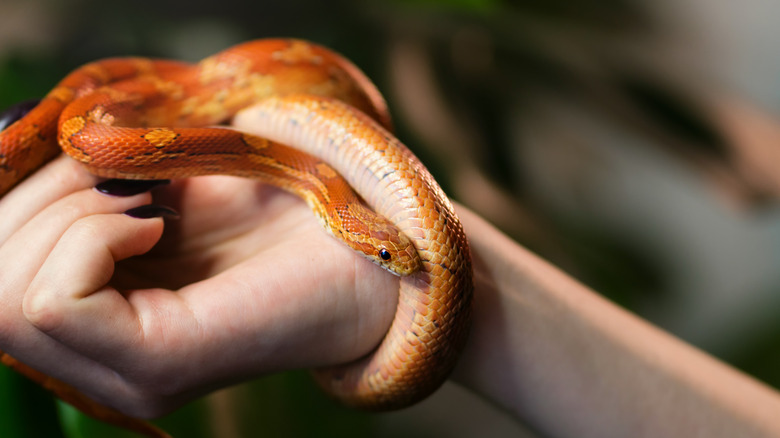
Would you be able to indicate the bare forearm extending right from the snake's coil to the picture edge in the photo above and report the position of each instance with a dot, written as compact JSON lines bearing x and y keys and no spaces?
{"x":571,"y":364}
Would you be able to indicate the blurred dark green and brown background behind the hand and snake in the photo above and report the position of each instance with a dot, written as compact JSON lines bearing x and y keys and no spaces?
{"x":632,"y":143}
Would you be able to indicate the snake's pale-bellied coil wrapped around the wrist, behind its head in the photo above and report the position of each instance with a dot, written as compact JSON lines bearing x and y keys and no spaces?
{"x":434,"y":301}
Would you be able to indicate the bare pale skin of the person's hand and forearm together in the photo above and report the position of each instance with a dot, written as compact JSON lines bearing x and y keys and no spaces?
{"x":247,"y":283}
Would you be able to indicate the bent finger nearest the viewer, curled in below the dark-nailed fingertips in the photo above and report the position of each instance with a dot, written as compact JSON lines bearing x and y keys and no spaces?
{"x":69,"y":296}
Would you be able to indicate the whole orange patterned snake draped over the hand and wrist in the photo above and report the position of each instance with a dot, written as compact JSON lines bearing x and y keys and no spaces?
{"x":138,"y":118}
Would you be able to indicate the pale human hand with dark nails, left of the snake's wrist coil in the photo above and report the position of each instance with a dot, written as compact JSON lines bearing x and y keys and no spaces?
{"x":143,"y":314}
